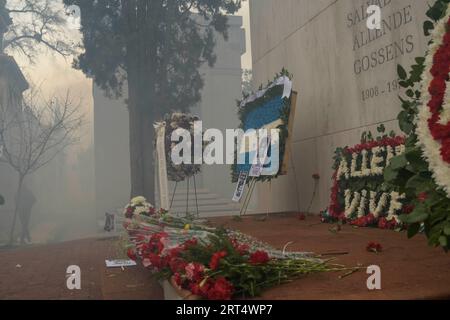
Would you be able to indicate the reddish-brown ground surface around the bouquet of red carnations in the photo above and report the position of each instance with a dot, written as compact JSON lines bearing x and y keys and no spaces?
{"x":410,"y":269}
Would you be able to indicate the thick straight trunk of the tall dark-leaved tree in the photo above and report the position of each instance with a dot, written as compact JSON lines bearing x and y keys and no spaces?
{"x":141,"y":96}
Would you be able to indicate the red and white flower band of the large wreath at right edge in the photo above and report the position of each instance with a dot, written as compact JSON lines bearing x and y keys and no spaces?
{"x":433,"y":122}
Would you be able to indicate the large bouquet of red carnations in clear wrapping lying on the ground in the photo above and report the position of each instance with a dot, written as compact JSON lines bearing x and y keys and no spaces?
{"x":213,"y":263}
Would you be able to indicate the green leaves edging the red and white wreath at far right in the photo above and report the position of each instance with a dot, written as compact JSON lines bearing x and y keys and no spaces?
{"x":410,"y":172}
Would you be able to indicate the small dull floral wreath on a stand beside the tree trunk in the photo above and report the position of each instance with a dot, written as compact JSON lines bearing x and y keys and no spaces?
{"x":174,"y":121}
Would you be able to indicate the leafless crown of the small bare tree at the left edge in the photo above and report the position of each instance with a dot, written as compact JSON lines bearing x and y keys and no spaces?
{"x":34,"y":134}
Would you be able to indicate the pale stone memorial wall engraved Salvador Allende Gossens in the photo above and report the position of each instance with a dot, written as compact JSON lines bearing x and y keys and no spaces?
{"x":345,"y":75}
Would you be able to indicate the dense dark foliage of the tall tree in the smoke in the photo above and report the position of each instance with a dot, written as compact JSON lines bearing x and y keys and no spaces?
{"x":156,"y":46}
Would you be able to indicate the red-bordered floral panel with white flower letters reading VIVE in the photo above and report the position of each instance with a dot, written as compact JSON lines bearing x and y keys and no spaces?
{"x":359,"y":195}
